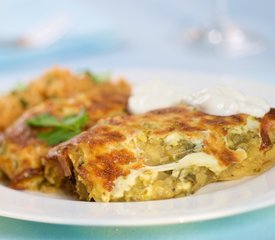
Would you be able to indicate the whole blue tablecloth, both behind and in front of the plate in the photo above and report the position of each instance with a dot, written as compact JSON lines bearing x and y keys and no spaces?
{"x":138,"y":34}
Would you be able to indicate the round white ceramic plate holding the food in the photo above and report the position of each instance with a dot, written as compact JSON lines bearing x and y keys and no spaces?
{"x":213,"y":201}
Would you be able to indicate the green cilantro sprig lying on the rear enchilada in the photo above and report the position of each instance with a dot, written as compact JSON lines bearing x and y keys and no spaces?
{"x":61,"y":129}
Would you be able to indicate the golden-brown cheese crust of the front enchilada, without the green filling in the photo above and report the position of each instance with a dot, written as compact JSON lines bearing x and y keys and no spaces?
{"x":113,"y":148}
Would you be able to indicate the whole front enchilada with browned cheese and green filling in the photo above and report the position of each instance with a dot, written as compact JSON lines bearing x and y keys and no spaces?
{"x":164,"y":153}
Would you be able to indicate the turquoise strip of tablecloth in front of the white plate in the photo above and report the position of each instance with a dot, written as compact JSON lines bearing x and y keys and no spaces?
{"x":254,"y":225}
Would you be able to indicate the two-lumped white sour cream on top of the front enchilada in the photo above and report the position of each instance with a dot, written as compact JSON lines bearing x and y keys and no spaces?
{"x":216,"y":100}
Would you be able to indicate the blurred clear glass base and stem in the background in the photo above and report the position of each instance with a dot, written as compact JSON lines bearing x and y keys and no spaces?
{"x":223,"y":36}
